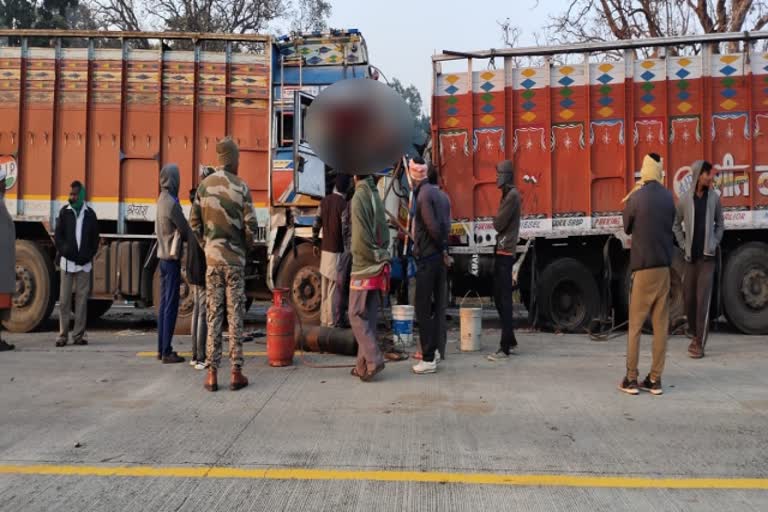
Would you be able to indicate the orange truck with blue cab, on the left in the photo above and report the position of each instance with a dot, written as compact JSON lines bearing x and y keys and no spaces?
{"x":94,"y":106}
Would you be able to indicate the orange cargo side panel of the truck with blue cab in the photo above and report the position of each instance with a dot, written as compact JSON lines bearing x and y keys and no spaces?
{"x":112,"y":122}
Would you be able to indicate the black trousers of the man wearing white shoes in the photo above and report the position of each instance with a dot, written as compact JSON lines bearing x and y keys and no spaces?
{"x":431,"y":295}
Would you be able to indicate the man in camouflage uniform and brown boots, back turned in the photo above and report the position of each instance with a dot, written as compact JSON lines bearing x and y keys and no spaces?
{"x":225,"y":225}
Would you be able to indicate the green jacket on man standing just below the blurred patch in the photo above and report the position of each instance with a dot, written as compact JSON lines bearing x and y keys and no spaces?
{"x":370,"y":232}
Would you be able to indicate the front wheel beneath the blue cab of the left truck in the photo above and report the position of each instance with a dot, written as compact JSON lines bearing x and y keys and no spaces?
{"x":300,"y":273}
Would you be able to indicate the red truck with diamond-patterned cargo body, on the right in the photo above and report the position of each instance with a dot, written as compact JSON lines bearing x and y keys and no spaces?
{"x":577,"y":121}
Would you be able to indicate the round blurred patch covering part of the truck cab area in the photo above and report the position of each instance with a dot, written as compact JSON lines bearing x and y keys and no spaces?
{"x":359,"y":126}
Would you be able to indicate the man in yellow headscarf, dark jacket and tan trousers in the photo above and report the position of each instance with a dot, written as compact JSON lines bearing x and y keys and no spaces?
{"x":649,"y":215}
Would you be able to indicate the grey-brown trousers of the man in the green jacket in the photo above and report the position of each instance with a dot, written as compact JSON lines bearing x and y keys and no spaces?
{"x":363,"y":315}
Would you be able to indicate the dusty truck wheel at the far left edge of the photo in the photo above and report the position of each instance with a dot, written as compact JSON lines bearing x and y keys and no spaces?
{"x":35,"y":288}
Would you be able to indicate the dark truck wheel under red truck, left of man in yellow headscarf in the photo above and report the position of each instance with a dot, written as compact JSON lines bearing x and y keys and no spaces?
{"x":568,"y":295}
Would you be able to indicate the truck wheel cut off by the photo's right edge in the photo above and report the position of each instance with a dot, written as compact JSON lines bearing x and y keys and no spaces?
{"x":745,"y":288}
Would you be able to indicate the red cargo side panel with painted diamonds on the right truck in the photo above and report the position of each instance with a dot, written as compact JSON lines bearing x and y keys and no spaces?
{"x":578,"y":134}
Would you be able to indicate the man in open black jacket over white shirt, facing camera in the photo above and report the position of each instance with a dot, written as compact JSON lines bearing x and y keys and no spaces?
{"x":77,"y":240}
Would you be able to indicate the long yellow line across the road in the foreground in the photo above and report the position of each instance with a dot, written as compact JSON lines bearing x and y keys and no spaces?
{"x":523,"y":480}
